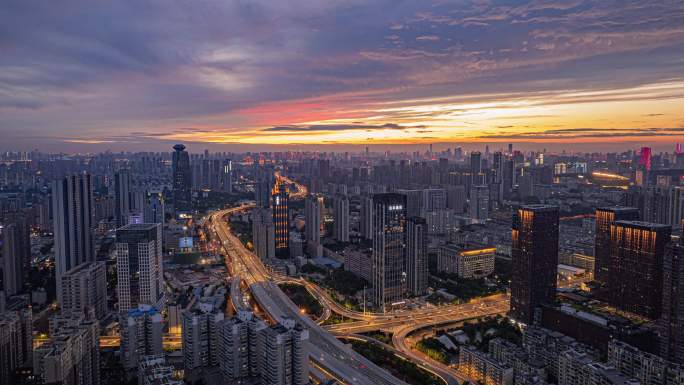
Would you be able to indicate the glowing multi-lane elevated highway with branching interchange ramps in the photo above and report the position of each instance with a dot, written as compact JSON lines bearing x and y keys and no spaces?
{"x":327,"y":354}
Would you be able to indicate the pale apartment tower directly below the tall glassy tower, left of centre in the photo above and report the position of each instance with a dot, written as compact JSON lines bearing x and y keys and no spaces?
{"x":141,"y":331}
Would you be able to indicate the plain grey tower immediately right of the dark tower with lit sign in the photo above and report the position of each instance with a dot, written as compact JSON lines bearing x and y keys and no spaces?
{"x":416,"y":255}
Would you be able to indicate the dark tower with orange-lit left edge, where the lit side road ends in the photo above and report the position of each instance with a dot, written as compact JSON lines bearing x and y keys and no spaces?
{"x":534,"y":251}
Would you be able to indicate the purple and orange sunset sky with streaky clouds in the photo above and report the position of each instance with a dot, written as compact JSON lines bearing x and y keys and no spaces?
{"x":233,"y":75}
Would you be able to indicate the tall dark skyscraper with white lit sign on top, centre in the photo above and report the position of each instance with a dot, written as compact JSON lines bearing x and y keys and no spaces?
{"x":389,"y":252}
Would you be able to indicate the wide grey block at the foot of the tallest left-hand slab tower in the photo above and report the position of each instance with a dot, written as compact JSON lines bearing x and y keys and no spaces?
{"x":84,"y":289}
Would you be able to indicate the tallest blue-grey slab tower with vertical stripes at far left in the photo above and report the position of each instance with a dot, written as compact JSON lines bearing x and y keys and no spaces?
{"x":72,"y":203}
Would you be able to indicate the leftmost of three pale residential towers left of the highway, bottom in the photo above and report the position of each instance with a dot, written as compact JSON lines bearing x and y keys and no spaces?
{"x":200,"y":332}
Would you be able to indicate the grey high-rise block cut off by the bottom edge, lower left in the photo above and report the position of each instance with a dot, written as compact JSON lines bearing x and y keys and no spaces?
{"x":71,"y":356}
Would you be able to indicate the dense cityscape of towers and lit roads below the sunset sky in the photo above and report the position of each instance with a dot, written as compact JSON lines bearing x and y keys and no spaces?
{"x":444,"y":266}
